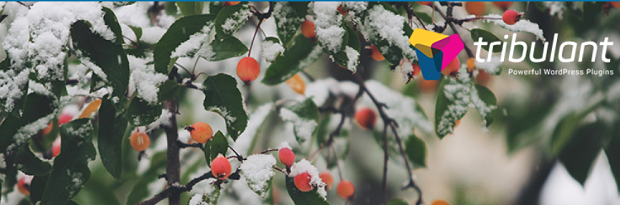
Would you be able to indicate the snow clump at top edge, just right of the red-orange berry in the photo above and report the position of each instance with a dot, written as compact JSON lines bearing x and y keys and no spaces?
{"x":328,"y":25}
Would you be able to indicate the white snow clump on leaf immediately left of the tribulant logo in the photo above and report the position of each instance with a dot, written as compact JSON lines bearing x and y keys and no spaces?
{"x":388,"y":26}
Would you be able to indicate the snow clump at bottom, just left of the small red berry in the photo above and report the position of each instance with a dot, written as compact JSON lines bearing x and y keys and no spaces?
{"x":258,"y":172}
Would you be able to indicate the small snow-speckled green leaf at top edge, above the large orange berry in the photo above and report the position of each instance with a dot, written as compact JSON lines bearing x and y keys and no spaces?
{"x":231,"y":18}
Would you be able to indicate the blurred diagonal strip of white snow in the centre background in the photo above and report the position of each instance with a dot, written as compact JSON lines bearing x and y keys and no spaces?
{"x":255,"y":120}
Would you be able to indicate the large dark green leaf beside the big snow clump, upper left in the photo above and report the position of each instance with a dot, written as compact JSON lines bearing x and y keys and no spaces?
{"x":108,"y":56}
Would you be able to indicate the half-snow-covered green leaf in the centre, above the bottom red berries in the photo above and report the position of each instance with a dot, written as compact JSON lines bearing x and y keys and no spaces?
{"x":304,"y":116}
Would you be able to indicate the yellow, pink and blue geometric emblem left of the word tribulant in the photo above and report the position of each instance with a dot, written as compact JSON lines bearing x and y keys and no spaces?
{"x":435,"y":51}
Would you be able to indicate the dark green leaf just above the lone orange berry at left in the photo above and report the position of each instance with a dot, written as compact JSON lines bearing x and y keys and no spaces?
{"x":142,"y":113}
